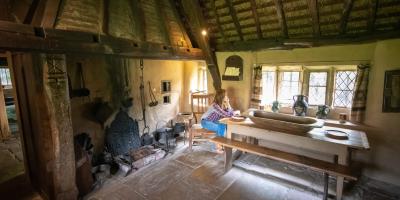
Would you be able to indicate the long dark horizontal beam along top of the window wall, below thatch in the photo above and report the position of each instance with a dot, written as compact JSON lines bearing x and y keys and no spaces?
{"x":253,"y":45}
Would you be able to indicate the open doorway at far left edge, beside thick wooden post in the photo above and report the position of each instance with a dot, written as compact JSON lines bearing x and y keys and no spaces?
{"x":13,"y":169}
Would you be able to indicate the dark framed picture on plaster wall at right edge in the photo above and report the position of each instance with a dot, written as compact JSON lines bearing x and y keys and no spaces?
{"x":391,"y":91}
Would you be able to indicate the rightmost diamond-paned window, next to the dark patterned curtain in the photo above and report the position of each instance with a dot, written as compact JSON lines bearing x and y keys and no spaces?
{"x":344,"y":88}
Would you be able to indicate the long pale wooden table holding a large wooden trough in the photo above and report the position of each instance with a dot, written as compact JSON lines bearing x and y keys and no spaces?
{"x":315,"y":140}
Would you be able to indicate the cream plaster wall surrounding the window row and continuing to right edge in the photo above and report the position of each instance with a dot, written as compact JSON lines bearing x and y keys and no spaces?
{"x":382,"y":128}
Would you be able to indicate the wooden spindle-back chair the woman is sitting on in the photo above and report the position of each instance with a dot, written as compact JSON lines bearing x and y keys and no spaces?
{"x":199,"y":105}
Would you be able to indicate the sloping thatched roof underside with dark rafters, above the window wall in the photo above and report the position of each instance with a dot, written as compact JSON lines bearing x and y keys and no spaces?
{"x":235,"y":22}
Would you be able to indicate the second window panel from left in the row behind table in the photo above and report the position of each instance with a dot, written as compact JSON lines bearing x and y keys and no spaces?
{"x":289,"y":86}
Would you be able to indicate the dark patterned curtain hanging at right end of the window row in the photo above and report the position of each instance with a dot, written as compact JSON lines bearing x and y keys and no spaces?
{"x":360,"y":94}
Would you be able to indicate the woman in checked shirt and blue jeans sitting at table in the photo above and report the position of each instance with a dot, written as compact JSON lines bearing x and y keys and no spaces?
{"x":218,"y":110}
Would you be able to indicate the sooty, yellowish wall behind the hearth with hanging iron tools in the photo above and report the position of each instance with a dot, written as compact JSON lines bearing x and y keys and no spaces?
{"x":105,"y":78}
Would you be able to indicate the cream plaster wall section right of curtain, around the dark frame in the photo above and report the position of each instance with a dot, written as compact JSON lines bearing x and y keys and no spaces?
{"x":385,"y":127}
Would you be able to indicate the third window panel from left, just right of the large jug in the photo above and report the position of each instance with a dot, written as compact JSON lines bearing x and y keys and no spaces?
{"x":317,"y":88}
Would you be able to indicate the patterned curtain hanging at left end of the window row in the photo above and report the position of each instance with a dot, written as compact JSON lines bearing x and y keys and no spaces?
{"x":256,"y":92}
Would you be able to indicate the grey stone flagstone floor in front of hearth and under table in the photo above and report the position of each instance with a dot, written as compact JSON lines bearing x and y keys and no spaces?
{"x":198,"y":175}
